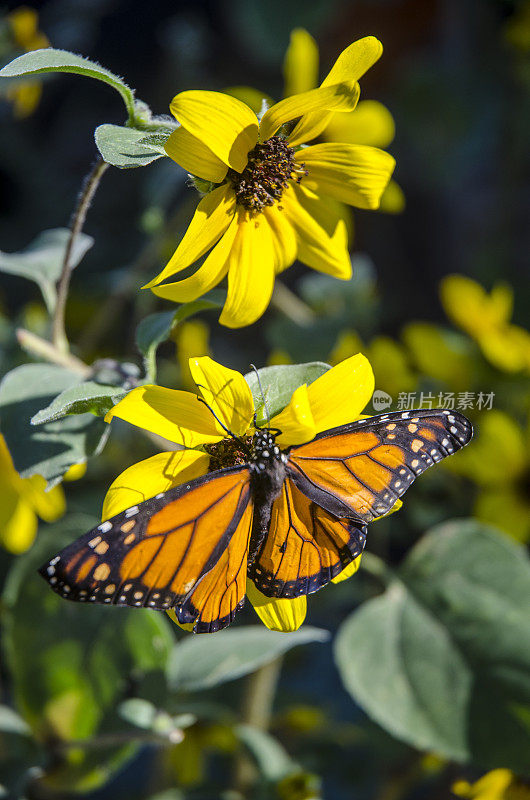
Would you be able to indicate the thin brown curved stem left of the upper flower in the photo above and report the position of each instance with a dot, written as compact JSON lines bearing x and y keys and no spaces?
{"x":88,"y":190}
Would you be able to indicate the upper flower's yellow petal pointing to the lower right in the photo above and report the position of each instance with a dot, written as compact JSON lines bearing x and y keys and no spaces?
{"x":316,"y":247}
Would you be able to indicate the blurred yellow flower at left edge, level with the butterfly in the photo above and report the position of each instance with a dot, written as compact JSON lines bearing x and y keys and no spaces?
{"x":22,"y":501}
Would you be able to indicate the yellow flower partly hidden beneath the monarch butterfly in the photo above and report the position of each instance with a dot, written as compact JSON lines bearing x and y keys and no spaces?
{"x":333,"y":399}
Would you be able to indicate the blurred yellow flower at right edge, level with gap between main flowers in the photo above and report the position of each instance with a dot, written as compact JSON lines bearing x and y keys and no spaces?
{"x":485,"y":317}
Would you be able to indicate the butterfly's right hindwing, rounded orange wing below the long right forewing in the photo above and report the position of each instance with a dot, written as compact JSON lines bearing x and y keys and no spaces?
{"x":306,"y":547}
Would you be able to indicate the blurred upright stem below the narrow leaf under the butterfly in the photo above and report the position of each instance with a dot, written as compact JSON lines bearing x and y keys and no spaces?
{"x":256,"y":710}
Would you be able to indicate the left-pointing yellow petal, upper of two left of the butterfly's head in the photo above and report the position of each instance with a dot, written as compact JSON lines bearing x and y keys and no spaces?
{"x":176,"y":416}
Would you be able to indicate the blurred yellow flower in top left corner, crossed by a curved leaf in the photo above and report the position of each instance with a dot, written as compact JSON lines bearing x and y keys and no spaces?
{"x":23,"y":27}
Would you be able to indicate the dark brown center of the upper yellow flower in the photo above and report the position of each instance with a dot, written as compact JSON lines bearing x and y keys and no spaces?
{"x":270,"y":167}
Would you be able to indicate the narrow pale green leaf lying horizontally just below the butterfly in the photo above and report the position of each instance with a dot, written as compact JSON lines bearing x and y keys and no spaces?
{"x":202,"y":662}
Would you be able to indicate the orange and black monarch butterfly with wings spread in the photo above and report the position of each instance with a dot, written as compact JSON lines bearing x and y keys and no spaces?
{"x":290,"y":520}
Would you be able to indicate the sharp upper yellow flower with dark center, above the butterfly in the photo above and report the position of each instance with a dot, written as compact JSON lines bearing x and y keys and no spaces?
{"x":269,"y":200}
